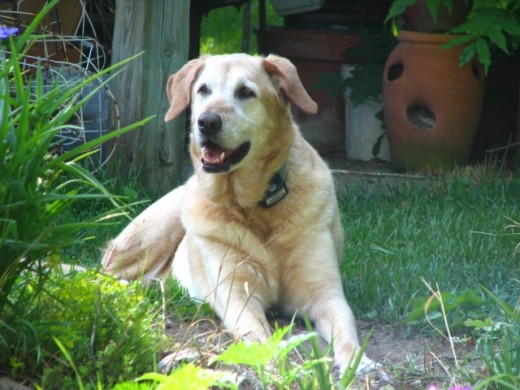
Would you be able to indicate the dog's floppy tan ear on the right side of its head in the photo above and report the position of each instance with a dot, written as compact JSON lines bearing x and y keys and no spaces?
{"x":289,"y":83}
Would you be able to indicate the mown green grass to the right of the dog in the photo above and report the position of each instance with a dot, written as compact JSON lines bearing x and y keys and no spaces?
{"x":452,"y":231}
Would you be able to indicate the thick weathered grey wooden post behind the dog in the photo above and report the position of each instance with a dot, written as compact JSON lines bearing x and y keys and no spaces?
{"x":160,"y":28}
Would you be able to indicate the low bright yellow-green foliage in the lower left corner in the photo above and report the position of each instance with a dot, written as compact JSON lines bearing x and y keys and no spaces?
{"x":107,"y":329}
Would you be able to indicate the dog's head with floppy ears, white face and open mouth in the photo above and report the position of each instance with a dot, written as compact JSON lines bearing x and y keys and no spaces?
{"x":237,"y":103}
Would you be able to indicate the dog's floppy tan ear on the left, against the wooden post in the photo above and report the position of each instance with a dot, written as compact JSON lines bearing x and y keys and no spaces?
{"x":179,"y":85}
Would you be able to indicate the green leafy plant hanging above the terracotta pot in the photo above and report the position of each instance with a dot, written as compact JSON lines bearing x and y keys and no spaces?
{"x":489,"y":23}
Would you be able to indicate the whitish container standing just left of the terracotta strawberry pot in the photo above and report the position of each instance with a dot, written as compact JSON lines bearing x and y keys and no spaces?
{"x":363,"y":129}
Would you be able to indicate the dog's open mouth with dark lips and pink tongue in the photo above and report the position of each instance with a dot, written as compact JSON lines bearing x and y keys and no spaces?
{"x":216,"y":159}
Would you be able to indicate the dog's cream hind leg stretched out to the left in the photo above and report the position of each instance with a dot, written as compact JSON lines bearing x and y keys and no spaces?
{"x":145,"y":248}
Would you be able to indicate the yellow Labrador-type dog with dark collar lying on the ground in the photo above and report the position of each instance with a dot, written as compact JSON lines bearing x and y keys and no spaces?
{"x":258,"y":224}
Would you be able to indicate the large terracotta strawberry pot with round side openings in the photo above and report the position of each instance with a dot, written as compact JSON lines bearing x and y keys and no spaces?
{"x":432,"y":105}
